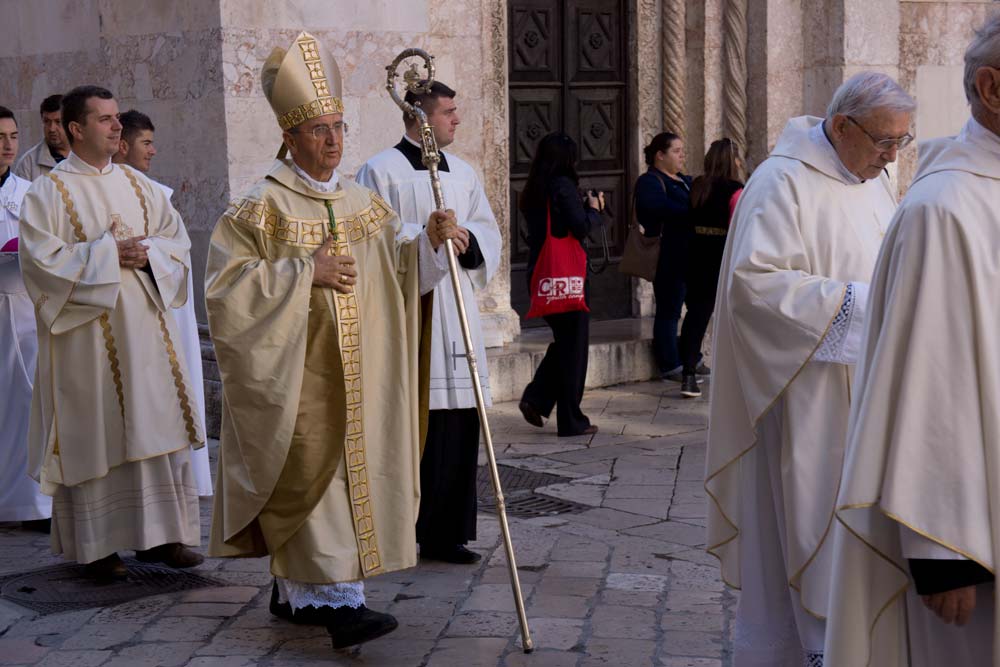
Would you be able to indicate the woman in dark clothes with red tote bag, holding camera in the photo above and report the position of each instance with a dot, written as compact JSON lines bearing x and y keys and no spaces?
{"x":558,"y":221}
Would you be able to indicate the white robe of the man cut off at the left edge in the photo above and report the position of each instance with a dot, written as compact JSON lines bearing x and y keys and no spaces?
{"x":20,"y":497}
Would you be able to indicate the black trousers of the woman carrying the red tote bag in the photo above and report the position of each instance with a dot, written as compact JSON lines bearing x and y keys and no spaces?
{"x":560,"y":377}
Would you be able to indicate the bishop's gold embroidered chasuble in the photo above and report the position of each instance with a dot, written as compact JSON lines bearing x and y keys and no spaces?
{"x":322,"y":392}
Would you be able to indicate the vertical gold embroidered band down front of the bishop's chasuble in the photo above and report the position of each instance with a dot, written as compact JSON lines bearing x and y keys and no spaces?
{"x":349,"y":326}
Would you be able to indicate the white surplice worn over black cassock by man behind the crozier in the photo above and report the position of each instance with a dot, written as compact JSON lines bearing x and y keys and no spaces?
{"x":409,"y":192}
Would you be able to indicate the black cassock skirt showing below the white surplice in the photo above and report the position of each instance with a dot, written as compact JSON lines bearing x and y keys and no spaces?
{"x":448,"y":478}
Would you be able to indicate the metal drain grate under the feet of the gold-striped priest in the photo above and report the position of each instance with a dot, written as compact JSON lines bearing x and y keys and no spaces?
{"x":66,"y":587}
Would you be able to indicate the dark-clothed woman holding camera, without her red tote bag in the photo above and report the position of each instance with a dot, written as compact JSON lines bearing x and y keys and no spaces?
{"x":558,"y":382}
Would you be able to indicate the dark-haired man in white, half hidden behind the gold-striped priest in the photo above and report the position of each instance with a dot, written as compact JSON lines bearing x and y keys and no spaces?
{"x":137,"y":150}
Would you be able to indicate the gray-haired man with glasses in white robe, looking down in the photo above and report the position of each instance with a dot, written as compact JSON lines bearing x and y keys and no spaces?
{"x":792,"y":295}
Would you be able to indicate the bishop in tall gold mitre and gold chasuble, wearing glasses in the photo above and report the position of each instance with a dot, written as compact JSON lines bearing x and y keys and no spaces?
{"x":314,"y":293}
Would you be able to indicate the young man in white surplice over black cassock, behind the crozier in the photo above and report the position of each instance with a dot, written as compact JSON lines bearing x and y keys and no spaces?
{"x":447,"y":520}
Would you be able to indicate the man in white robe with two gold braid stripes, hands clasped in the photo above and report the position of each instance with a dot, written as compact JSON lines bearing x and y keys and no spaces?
{"x":104,"y":257}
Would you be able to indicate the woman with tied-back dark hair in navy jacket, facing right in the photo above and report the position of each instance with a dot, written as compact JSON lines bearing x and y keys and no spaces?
{"x":662,"y":204}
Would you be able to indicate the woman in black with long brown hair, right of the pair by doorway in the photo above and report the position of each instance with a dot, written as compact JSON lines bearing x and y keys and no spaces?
{"x":713,"y":198}
